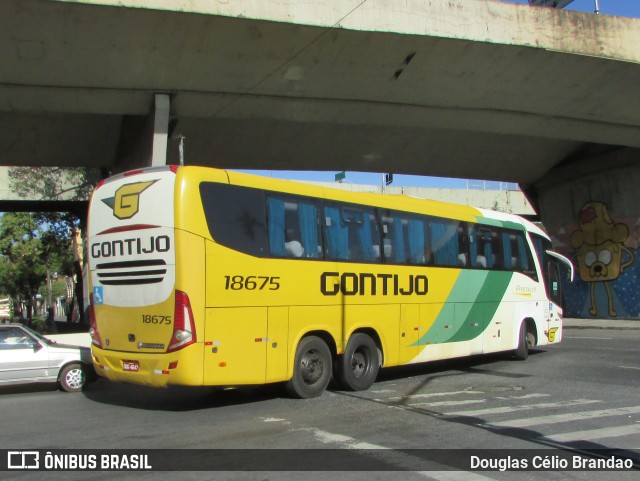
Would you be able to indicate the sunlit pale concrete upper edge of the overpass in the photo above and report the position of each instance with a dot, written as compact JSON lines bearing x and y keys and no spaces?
{"x":479,"y":21}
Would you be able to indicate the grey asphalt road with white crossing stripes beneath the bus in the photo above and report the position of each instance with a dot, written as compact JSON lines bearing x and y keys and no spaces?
{"x":579,"y":396}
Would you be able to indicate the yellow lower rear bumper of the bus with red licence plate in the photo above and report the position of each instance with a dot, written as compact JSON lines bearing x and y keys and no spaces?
{"x":149,"y":369}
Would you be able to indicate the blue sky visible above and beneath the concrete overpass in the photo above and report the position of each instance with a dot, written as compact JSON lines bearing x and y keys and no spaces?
{"x":626,"y":8}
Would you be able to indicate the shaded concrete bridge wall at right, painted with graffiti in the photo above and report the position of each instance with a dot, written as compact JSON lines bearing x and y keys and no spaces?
{"x":589,"y":206}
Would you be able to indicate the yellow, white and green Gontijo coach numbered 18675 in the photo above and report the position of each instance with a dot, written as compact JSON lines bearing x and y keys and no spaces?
{"x":202,"y":276}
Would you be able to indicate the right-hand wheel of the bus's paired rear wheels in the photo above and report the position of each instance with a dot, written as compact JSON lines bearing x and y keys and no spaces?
{"x":358,"y":368}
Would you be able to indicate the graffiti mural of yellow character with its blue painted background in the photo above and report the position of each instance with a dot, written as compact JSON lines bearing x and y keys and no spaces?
{"x":608,"y":274}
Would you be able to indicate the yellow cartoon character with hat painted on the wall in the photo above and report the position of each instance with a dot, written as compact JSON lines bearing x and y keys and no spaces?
{"x":599,"y":245}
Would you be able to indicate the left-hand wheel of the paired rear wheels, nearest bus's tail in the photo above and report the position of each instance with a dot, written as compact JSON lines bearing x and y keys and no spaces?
{"x":312,"y":368}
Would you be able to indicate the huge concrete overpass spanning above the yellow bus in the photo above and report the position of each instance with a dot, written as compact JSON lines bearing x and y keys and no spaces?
{"x":463,"y":88}
